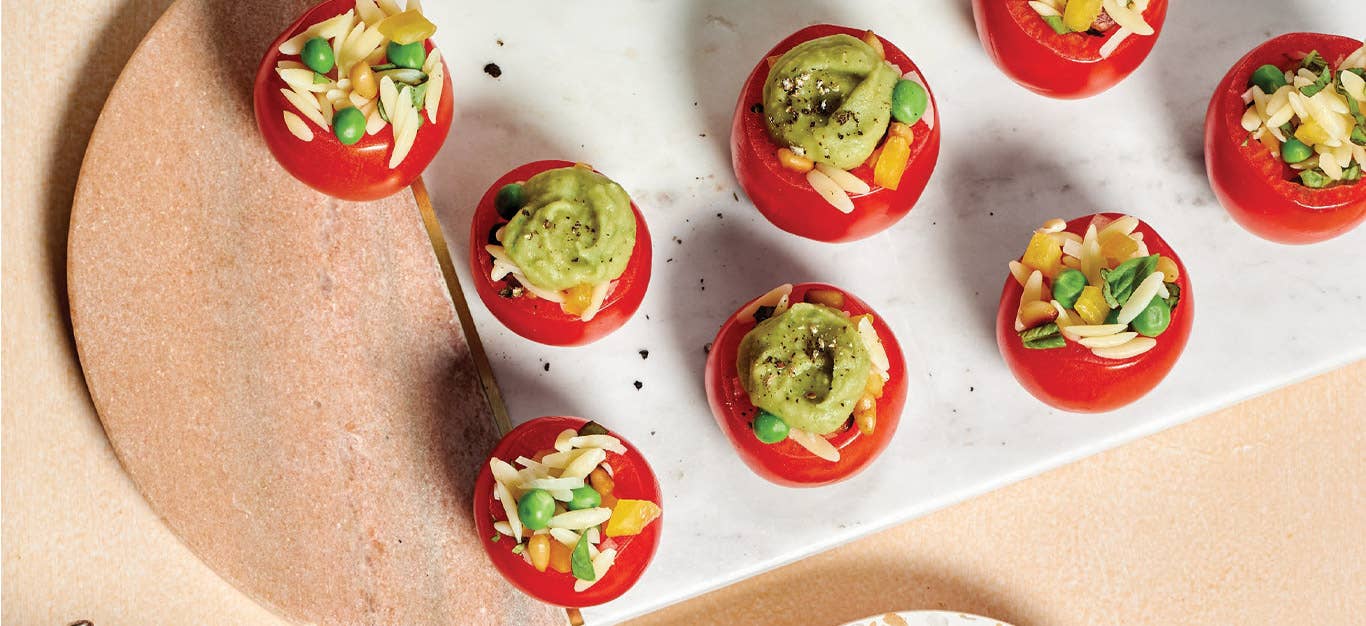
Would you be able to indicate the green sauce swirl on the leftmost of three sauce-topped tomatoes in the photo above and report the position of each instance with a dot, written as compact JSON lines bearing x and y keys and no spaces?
{"x":576,"y":229}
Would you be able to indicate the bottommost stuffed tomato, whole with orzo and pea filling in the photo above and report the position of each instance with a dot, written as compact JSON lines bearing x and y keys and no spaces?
{"x":569,"y":512}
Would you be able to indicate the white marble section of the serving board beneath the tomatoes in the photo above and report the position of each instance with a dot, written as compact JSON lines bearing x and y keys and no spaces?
{"x":644,"y":91}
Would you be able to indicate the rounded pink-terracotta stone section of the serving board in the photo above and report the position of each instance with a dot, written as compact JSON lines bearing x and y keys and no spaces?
{"x":282,"y":374}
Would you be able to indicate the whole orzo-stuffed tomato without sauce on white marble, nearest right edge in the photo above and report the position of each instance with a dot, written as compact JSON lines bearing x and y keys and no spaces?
{"x":1095,"y":314}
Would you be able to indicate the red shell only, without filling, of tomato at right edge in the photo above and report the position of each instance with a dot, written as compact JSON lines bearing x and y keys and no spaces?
{"x":1256,"y":187}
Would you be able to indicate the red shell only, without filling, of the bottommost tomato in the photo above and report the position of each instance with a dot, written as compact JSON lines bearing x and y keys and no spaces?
{"x":633,"y":479}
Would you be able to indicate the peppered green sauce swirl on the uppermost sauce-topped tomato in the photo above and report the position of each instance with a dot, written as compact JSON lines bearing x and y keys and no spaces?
{"x":833,"y":99}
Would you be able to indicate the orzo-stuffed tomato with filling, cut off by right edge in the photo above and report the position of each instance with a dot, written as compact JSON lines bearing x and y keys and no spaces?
{"x":1286,"y":139}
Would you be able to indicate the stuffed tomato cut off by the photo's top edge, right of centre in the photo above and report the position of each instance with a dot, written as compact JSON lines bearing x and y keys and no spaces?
{"x":1069,"y":49}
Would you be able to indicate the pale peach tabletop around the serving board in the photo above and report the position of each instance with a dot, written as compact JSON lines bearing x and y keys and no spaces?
{"x":1255,"y":515}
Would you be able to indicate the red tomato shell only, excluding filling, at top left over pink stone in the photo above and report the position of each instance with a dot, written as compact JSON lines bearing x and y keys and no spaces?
{"x":360,"y":172}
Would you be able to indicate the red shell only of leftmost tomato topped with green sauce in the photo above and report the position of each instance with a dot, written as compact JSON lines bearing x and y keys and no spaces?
{"x":542,"y":321}
